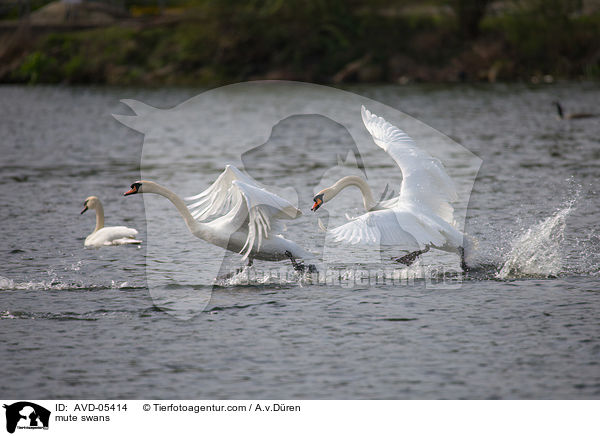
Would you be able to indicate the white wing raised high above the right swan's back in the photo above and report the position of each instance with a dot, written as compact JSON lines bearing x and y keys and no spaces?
{"x":425,"y":182}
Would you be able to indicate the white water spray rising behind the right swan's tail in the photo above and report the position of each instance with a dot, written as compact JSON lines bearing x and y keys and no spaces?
{"x":537,"y":252}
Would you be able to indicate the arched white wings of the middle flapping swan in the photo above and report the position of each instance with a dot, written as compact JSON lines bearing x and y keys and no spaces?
{"x":239,"y":198}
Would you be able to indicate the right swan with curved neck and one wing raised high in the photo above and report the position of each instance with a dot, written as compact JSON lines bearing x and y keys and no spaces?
{"x":420,"y":217}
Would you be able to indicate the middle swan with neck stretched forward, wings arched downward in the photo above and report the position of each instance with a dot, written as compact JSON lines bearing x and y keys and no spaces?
{"x":235,"y":213}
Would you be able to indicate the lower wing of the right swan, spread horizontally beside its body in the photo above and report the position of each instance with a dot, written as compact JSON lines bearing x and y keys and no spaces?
{"x":405,"y":230}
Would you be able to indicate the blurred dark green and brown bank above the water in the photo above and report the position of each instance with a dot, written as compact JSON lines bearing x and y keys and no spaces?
{"x":211,"y":42}
